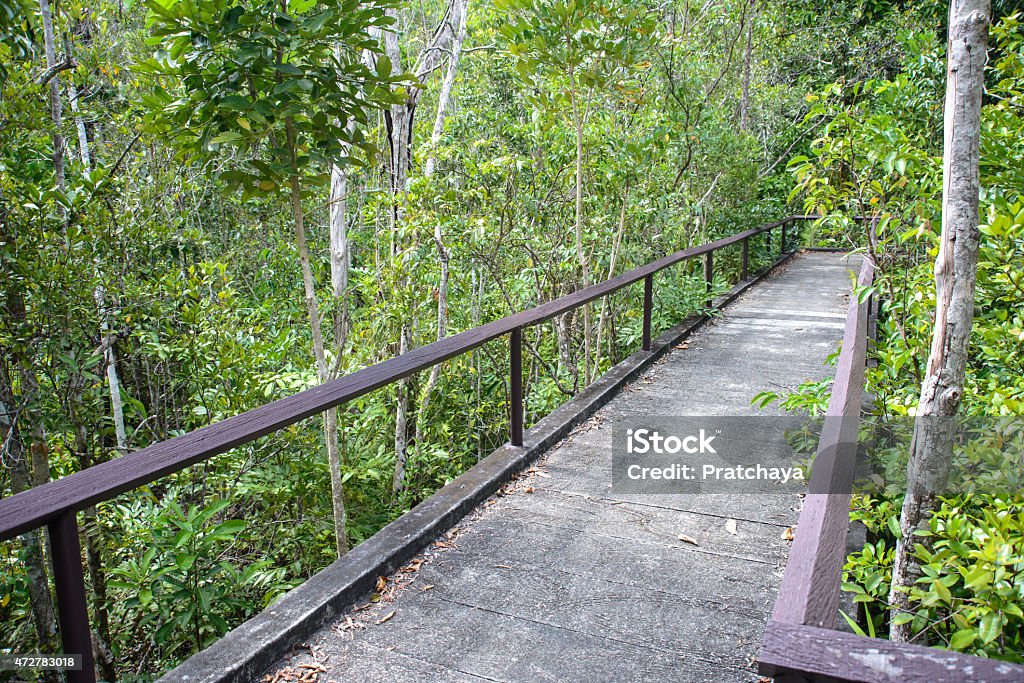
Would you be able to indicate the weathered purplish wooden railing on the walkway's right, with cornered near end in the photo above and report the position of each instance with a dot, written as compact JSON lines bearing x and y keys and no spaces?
{"x":800,"y":644}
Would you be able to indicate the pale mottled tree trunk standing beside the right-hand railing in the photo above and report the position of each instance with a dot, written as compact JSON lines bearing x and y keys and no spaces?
{"x":956,"y":267}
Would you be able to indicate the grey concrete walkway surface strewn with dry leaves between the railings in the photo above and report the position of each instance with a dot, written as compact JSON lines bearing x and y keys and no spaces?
{"x":560,"y":579}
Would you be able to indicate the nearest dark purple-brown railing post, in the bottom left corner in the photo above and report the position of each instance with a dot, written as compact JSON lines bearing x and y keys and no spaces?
{"x":74,"y":614}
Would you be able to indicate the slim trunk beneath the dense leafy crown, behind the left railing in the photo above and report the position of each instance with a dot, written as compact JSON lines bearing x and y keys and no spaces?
{"x":330,"y":416}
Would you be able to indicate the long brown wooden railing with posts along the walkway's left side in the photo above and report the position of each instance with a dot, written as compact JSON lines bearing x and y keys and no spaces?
{"x":56,"y":504}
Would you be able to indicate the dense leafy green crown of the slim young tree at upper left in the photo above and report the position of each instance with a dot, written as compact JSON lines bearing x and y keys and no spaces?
{"x":237,"y":73}
